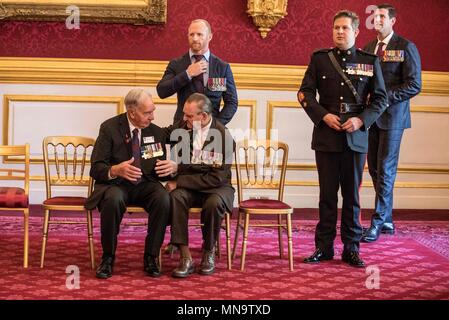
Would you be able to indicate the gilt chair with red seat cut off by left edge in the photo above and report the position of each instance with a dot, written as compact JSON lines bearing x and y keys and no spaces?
{"x":15,"y":198}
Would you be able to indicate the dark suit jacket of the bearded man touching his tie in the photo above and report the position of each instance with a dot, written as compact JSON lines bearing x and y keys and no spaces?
{"x":175,"y":80}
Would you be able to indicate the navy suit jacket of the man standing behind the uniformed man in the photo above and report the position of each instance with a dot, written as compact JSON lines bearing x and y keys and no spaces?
{"x":402,"y":80}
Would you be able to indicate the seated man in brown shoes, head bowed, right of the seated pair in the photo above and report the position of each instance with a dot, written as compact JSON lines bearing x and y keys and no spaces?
{"x":204,"y":180}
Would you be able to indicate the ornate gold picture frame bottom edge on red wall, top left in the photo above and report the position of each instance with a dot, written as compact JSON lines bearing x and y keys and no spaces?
{"x":105,"y":11}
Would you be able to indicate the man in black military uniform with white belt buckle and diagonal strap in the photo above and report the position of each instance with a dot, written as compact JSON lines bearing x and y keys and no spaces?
{"x":351,"y":97}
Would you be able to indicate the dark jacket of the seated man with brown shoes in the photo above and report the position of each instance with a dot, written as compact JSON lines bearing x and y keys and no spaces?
{"x":204,"y":177}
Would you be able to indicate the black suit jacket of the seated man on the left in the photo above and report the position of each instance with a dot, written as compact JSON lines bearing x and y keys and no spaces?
{"x":114,"y":146}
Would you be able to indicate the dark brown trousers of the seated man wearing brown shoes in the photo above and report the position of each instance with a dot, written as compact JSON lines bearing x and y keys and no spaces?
{"x":213,"y":209}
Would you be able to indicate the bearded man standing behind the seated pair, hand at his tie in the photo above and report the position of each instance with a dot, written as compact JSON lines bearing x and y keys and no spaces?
{"x":199,"y":71}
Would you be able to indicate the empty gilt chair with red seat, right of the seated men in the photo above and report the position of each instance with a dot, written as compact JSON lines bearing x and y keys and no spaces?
{"x":262,"y":164}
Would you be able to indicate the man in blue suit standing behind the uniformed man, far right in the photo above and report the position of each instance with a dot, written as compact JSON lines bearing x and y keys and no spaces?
{"x":401,"y":68}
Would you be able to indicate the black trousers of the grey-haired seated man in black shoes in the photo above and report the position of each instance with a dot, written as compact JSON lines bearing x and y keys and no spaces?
{"x":152,"y":196}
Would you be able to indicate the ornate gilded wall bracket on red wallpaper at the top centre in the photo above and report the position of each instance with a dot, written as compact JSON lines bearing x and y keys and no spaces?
{"x":266,"y":13}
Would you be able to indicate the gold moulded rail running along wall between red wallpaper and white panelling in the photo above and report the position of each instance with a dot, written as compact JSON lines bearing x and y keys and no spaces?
{"x":148,"y":73}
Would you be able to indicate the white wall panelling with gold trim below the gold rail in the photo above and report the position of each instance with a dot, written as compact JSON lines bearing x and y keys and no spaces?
{"x":424,"y":146}
